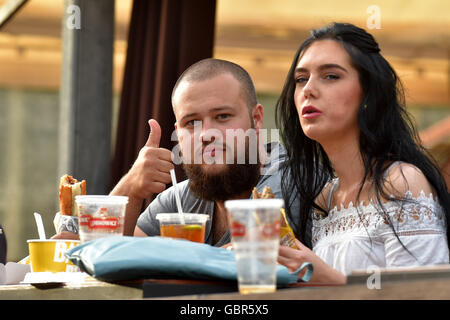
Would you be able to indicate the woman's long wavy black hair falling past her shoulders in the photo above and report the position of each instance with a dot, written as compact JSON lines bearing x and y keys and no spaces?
{"x":387,"y":133}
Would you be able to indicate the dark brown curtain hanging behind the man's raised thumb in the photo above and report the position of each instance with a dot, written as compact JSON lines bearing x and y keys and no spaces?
{"x":165,"y":37}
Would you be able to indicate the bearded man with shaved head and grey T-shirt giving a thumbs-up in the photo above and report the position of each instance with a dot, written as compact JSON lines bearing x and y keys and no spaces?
{"x":218,"y":125}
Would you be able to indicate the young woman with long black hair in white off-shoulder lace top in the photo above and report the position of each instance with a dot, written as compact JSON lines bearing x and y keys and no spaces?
{"x":374,"y":196}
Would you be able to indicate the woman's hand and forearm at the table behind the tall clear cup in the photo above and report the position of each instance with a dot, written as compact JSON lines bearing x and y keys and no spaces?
{"x":293,"y":259}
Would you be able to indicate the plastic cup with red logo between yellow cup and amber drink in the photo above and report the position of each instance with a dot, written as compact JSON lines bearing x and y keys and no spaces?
{"x":100,"y":216}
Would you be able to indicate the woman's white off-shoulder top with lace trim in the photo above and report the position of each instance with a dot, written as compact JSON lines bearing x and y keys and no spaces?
{"x":359,"y":237}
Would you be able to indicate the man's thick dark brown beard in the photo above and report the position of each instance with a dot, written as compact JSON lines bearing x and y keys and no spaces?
{"x":232,"y":181}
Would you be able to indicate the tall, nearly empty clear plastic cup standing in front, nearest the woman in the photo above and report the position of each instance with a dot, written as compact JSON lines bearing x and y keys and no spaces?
{"x":255,"y":236}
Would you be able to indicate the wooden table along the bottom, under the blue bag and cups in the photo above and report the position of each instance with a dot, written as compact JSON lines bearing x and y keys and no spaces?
{"x":424,"y":283}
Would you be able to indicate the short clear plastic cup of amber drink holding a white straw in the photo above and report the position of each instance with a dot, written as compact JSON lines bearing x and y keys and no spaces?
{"x":189,"y":226}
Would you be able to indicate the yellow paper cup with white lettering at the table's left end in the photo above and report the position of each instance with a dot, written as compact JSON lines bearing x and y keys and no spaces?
{"x":48,"y":255}
